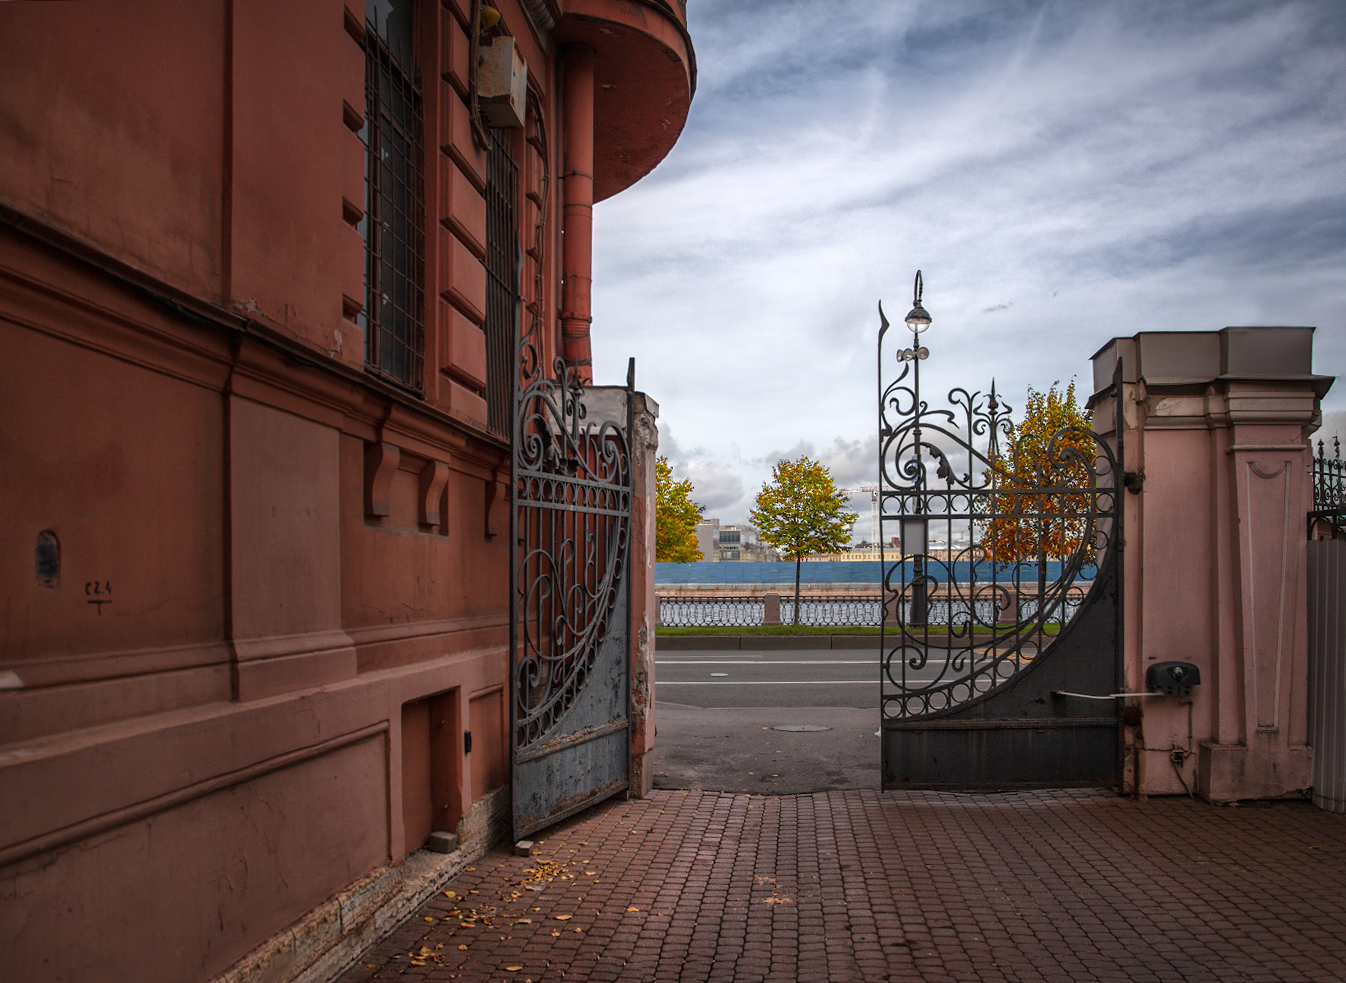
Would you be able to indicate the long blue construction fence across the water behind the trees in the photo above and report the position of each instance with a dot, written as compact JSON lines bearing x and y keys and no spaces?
{"x":849,"y":572}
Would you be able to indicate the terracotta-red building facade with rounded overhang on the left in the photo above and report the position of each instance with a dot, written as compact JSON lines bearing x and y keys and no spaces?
{"x":262,"y":267}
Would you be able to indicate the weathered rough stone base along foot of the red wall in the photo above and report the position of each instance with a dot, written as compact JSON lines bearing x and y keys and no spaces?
{"x":332,"y":938}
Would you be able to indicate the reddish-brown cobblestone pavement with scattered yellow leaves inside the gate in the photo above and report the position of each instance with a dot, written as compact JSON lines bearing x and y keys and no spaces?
{"x":907,"y":887}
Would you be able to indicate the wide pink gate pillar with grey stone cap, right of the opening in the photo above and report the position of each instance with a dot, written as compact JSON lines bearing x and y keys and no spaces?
{"x":1216,"y":550}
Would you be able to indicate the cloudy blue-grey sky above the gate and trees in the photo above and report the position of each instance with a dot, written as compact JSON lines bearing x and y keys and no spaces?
{"x":1064,"y":173}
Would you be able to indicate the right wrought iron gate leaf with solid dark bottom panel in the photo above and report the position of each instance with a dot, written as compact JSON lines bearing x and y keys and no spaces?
{"x":1006,"y":593}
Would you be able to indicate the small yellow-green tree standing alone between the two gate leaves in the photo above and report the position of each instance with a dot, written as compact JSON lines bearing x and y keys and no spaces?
{"x":800,"y":512}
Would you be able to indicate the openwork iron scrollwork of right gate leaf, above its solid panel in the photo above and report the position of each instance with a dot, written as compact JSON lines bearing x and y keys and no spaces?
{"x":1014,"y":538}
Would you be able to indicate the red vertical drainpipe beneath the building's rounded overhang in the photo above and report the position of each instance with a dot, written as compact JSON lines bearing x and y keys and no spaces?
{"x":578,"y":217}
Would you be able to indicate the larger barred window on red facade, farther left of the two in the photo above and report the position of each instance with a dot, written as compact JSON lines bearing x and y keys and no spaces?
{"x":395,"y":255}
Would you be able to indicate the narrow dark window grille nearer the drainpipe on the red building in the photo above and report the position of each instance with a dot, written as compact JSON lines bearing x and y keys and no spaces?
{"x":503,"y":270}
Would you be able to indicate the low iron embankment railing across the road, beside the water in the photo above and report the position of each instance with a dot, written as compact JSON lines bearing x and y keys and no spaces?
{"x":846,"y":611}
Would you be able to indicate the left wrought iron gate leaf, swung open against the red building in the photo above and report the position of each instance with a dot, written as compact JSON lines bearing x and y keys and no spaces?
{"x":570,"y":537}
